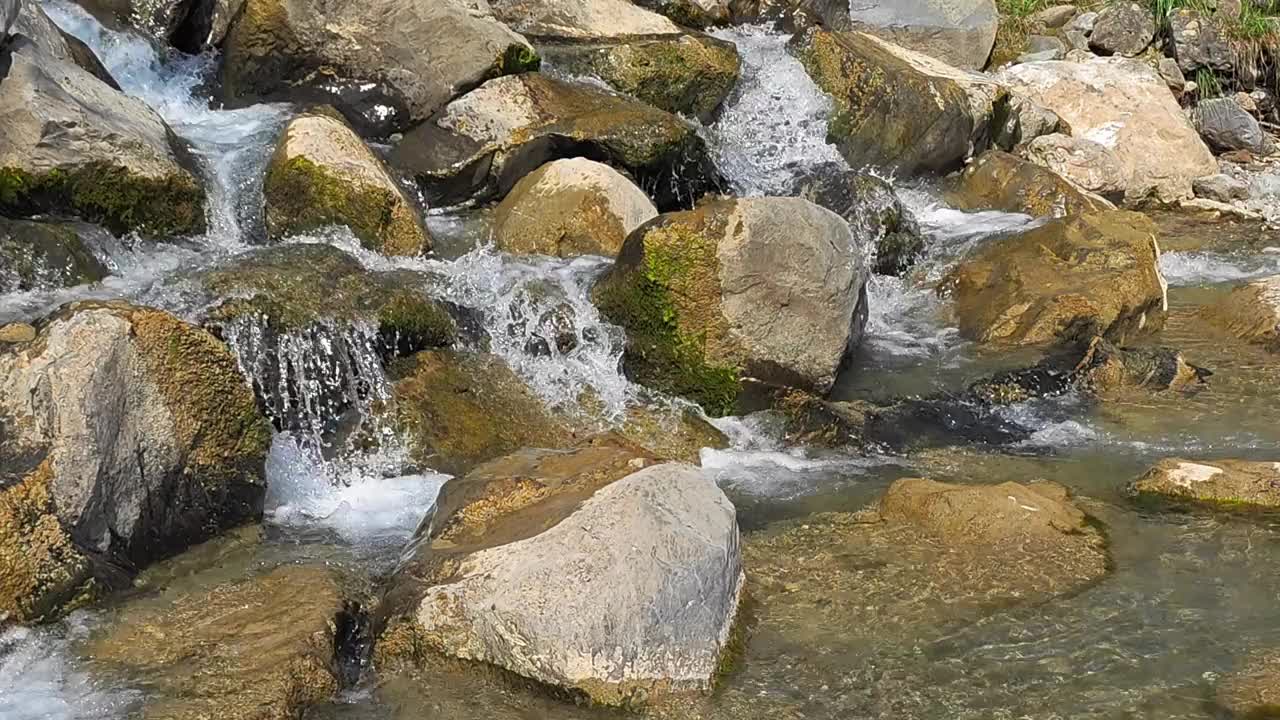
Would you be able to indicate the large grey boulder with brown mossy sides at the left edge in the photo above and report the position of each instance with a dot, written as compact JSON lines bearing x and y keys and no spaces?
{"x":112,"y":409}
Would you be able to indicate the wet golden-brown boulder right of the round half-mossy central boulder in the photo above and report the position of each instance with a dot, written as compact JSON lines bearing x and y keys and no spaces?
{"x":1072,"y":279}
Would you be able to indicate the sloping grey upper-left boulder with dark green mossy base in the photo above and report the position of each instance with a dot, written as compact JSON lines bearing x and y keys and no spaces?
{"x":72,"y":144}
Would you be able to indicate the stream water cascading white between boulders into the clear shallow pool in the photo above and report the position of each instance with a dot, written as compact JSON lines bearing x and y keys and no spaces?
{"x":1188,"y":596}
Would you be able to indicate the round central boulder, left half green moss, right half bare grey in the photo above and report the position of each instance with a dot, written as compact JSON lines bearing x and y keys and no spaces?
{"x":769,"y":289}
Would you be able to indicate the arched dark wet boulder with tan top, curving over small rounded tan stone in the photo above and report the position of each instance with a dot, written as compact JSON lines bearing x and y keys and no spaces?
{"x":482,"y":144}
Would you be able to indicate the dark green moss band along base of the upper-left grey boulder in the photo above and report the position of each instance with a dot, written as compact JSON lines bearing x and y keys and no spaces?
{"x":109,"y":195}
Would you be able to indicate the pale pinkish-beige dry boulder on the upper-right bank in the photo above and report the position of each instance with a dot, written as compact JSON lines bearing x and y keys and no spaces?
{"x":1127,"y":108}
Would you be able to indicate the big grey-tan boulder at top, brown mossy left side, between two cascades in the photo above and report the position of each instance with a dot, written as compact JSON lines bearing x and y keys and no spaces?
{"x":386,"y":65}
